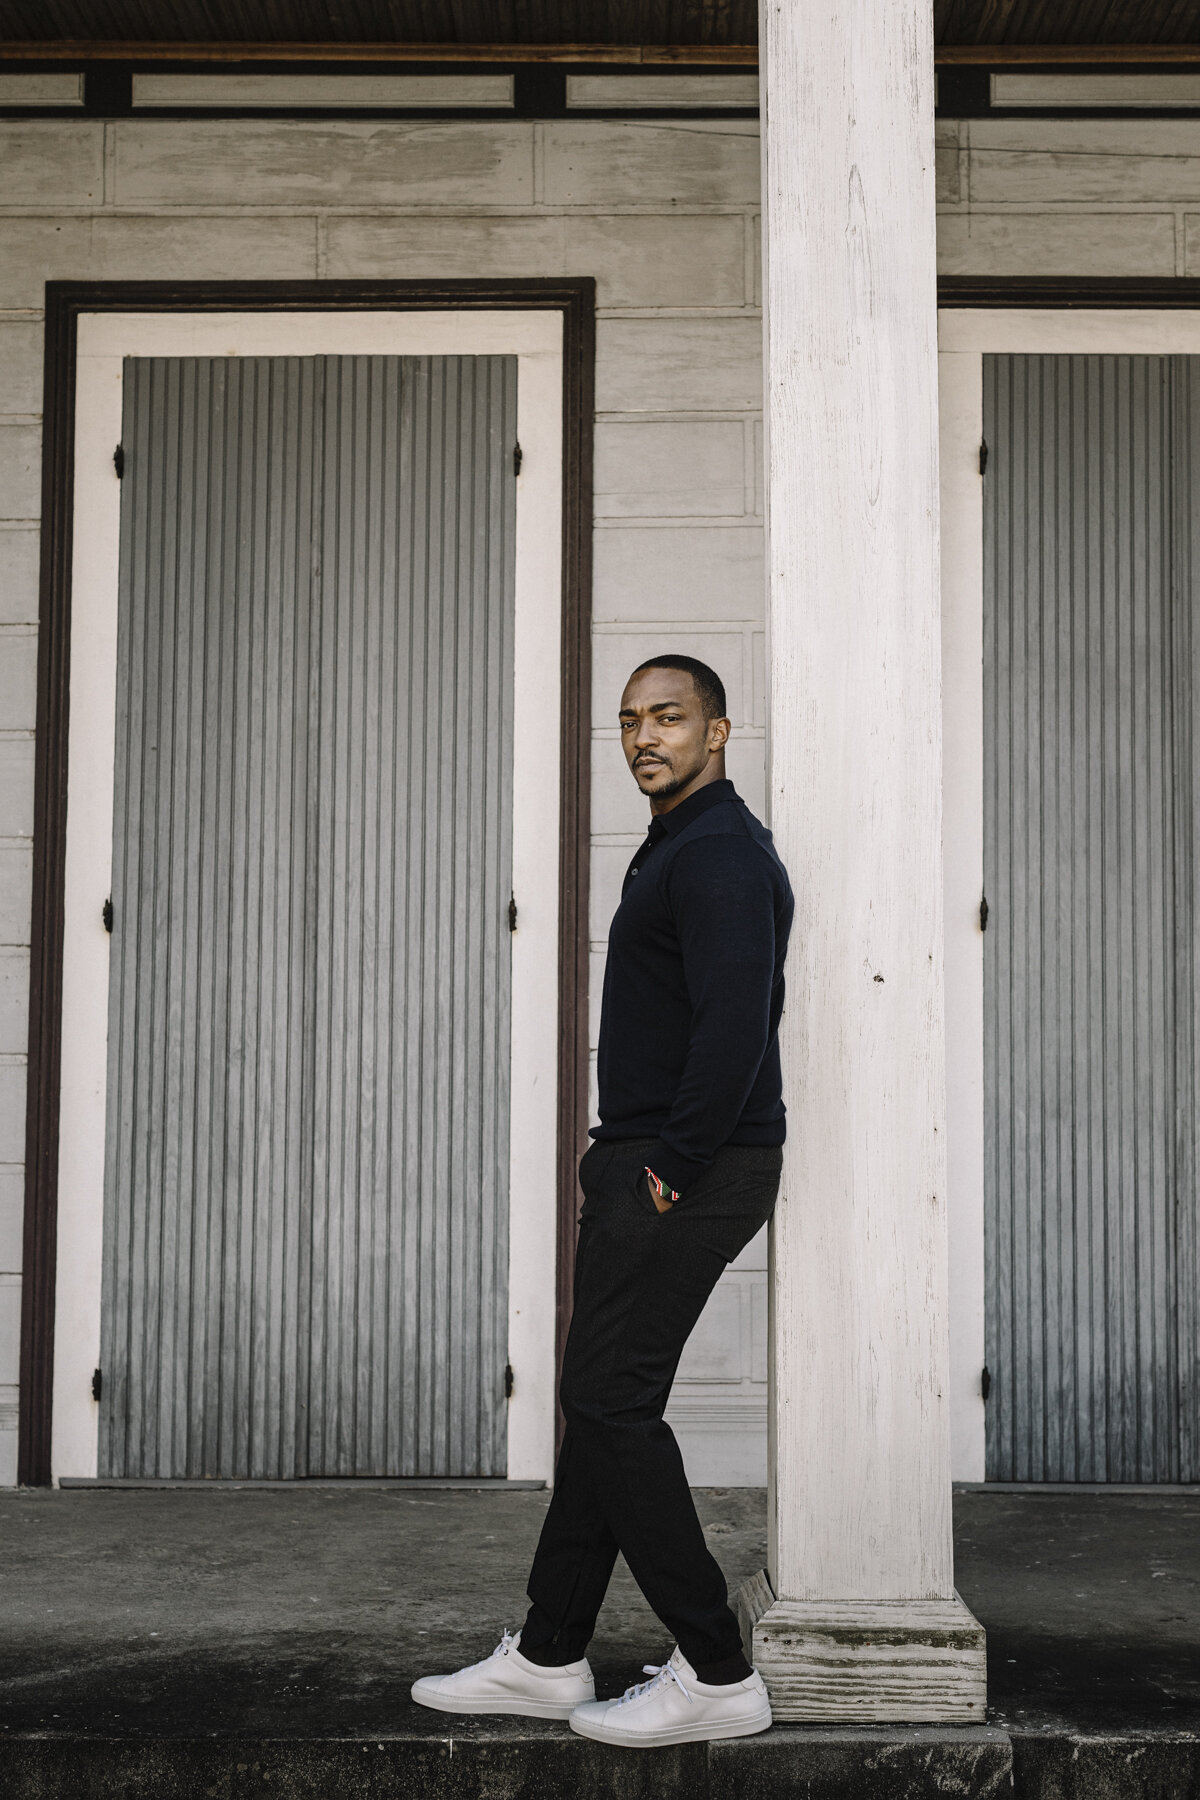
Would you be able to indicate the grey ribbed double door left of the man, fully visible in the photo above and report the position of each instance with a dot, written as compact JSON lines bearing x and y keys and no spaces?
{"x":307,"y":1155}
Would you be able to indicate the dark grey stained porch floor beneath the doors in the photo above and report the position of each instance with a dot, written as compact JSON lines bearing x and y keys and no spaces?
{"x":309,"y":1612}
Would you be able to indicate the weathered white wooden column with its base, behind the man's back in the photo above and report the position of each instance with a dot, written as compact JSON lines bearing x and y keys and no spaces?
{"x":864,"y":1621}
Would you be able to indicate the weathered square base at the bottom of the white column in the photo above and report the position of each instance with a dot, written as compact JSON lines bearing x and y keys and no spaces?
{"x":879,"y":1662}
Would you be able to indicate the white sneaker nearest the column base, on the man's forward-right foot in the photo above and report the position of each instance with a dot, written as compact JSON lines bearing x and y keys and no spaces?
{"x":676,"y":1709}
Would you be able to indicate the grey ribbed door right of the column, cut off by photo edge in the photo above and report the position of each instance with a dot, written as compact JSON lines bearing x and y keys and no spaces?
{"x":1089,"y":845}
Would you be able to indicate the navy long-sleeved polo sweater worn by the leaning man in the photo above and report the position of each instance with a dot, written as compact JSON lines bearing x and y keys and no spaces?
{"x":694,"y":989}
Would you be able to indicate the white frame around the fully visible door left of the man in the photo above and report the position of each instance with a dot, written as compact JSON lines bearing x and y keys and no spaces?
{"x":535,"y":337}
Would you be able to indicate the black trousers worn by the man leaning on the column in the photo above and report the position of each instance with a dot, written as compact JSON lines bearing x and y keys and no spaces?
{"x":641,"y":1284}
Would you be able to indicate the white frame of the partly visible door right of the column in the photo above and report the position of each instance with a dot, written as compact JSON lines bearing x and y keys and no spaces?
{"x":965,"y":337}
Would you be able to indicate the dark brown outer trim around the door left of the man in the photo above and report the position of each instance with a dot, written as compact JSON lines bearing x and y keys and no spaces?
{"x":66,"y":301}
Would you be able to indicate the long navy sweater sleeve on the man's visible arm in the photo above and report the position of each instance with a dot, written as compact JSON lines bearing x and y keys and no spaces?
{"x":724,"y":904}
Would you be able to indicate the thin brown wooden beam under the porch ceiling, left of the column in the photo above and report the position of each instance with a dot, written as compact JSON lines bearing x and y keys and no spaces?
{"x":111,"y":49}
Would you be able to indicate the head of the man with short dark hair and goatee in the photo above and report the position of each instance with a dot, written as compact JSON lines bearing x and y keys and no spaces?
{"x":674,"y":728}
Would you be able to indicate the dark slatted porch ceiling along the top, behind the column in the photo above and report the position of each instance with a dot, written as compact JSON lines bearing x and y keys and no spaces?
{"x":474,"y":24}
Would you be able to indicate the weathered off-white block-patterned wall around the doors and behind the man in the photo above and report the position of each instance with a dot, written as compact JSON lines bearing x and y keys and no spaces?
{"x":667,"y":220}
